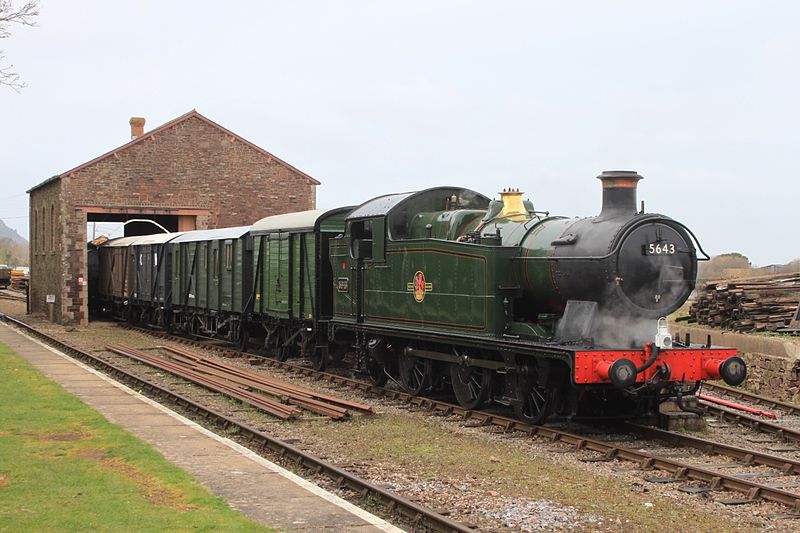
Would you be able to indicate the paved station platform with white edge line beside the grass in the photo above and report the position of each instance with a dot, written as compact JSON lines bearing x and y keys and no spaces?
{"x":265,"y":492}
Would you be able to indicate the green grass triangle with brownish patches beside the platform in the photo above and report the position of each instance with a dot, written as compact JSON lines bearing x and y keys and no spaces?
{"x":63,"y":467}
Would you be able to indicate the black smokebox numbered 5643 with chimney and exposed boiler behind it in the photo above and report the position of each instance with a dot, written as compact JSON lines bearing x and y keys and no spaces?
{"x":631,"y":264}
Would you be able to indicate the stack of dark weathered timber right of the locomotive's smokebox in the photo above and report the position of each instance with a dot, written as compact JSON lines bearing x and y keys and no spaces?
{"x":747,"y":305}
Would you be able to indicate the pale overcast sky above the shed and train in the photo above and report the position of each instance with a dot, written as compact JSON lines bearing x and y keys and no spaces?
{"x":370,"y":97}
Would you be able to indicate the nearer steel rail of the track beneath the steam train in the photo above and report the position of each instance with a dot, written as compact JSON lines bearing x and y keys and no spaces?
{"x":679,"y":470}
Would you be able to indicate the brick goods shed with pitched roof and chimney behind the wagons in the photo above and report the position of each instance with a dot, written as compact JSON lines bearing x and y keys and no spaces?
{"x":190,"y":173}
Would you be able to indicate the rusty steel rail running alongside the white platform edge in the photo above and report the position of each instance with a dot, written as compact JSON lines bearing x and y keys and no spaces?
{"x":417,"y":514}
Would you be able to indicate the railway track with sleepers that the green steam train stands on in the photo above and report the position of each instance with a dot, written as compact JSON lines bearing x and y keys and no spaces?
{"x":703,"y":478}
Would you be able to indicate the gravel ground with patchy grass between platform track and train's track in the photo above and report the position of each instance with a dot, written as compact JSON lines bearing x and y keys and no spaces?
{"x":497,"y":482}
